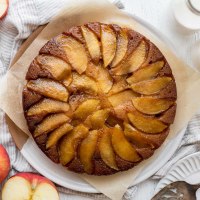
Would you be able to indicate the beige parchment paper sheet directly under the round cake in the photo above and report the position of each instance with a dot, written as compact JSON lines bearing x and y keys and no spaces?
{"x":77,"y":13}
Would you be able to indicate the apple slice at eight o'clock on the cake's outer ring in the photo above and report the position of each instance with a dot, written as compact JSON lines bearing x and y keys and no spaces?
{"x":50,"y":123}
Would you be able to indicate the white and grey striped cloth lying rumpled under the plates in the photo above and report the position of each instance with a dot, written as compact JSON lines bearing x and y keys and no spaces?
{"x":23,"y":18}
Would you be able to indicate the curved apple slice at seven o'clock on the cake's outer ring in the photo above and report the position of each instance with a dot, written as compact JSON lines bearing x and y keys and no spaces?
{"x":69,"y":144}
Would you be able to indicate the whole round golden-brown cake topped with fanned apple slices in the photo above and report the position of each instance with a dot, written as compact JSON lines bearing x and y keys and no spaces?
{"x":99,"y":98}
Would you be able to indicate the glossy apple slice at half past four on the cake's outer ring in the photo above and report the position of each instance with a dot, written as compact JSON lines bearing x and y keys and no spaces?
{"x":136,"y":137}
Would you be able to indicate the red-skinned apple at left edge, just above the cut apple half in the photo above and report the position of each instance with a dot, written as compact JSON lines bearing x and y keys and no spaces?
{"x":4,"y":163}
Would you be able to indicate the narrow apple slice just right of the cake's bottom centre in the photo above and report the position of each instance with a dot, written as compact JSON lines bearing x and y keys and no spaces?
{"x":106,"y":150}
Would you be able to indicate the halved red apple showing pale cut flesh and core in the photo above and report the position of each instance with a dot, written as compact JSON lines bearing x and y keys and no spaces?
{"x":29,"y":186}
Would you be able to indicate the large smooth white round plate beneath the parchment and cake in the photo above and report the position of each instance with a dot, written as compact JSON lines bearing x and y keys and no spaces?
{"x":73,"y":181}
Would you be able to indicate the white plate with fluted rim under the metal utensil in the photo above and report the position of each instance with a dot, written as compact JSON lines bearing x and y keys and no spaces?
{"x":186,"y":169}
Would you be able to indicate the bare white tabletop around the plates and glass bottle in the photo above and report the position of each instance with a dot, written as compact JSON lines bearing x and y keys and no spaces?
{"x":159,"y":13}
